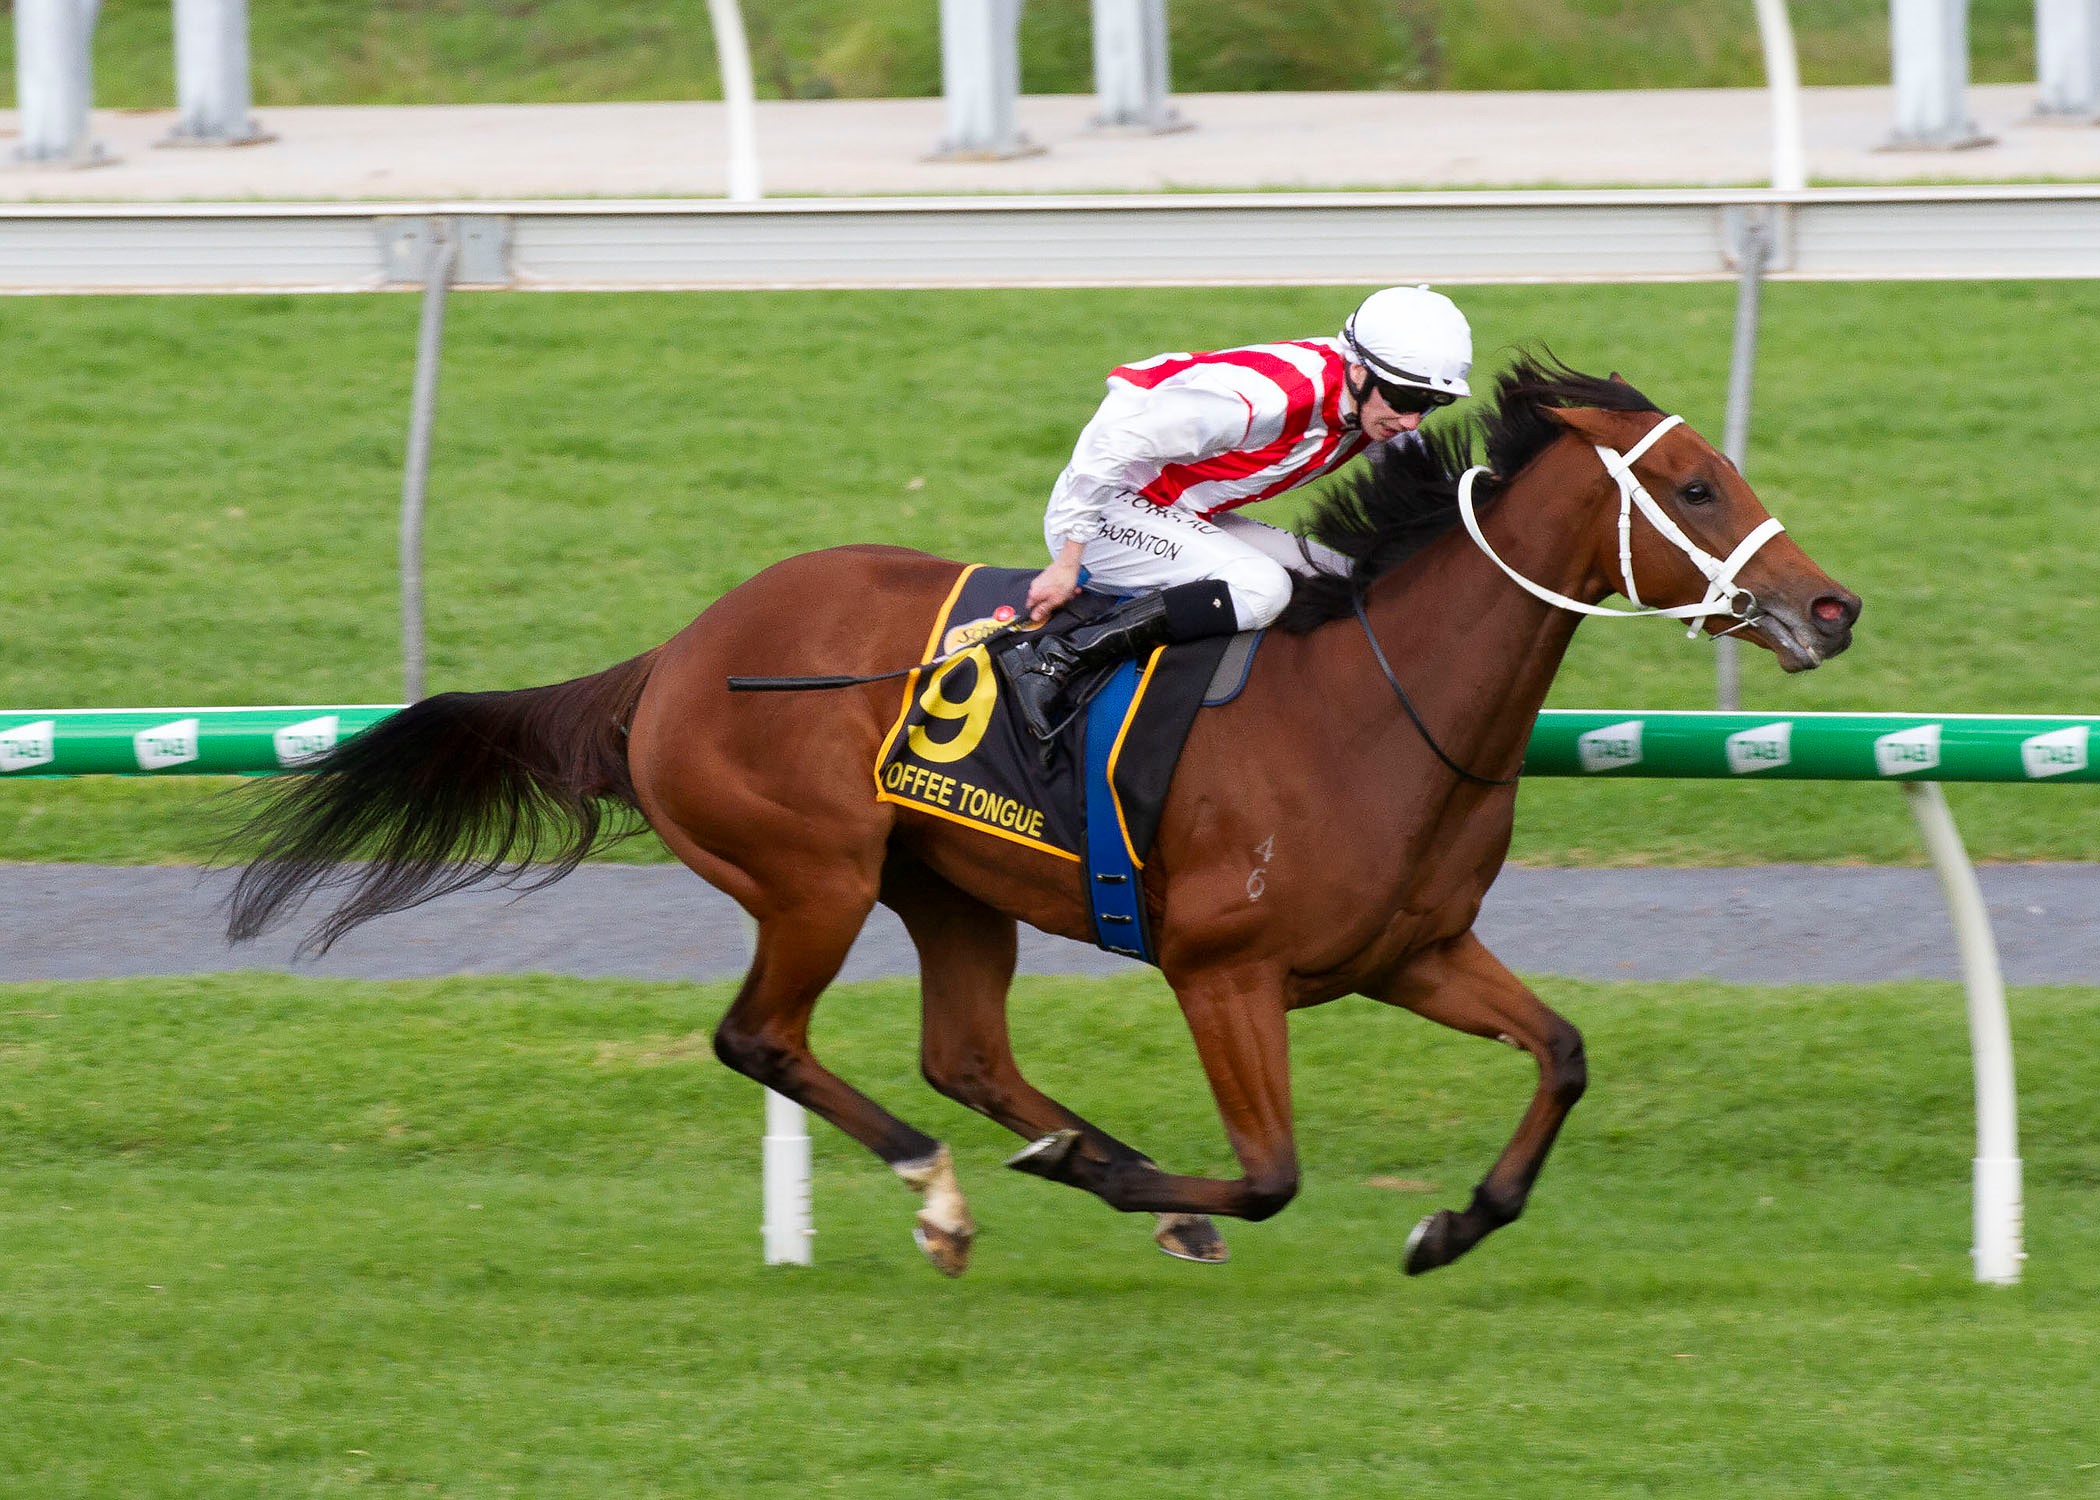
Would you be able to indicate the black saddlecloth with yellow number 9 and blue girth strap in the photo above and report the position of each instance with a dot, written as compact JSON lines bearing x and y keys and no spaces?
{"x":961,"y":753}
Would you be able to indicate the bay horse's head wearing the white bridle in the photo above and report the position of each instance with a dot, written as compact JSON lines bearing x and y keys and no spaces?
{"x":1687,"y":530}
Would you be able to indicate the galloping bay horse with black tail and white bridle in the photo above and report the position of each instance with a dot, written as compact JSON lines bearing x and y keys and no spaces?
{"x":1328,"y":833}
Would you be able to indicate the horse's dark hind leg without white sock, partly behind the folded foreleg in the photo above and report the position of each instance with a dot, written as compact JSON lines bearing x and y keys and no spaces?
{"x":967,"y":967}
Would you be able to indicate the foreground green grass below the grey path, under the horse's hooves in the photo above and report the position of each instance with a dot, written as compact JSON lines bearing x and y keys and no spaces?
{"x":482,"y":1238}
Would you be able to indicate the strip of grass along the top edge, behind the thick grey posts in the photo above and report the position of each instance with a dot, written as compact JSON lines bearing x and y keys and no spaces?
{"x":528,"y":51}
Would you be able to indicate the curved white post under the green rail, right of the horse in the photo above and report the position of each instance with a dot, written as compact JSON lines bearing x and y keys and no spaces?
{"x":1996,"y":1175}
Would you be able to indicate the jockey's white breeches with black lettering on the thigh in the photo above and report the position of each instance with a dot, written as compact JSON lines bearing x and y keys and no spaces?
{"x":1146,"y":547}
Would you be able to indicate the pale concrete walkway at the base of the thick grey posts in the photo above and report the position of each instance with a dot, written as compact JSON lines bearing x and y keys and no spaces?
{"x":879,"y":146}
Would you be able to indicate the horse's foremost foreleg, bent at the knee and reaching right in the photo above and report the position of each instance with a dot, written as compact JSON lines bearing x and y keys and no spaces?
{"x":1467,"y":988}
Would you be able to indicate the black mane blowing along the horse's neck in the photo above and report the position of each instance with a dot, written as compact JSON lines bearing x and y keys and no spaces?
{"x":1408,"y":497}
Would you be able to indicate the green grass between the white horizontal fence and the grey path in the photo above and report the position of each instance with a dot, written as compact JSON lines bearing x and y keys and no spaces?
{"x":201,"y":505}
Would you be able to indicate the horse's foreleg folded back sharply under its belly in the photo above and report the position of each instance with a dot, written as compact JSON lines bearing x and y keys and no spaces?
{"x":1238,"y":1022}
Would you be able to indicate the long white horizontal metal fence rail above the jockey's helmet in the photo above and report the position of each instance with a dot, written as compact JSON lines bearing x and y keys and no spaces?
{"x":1868,"y":234}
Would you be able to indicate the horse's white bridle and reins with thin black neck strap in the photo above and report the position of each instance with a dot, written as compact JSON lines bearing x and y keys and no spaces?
{"x":1723,"y":598}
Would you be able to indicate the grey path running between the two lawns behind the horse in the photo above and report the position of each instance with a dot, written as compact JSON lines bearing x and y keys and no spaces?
{"x":1757,"y":925}
